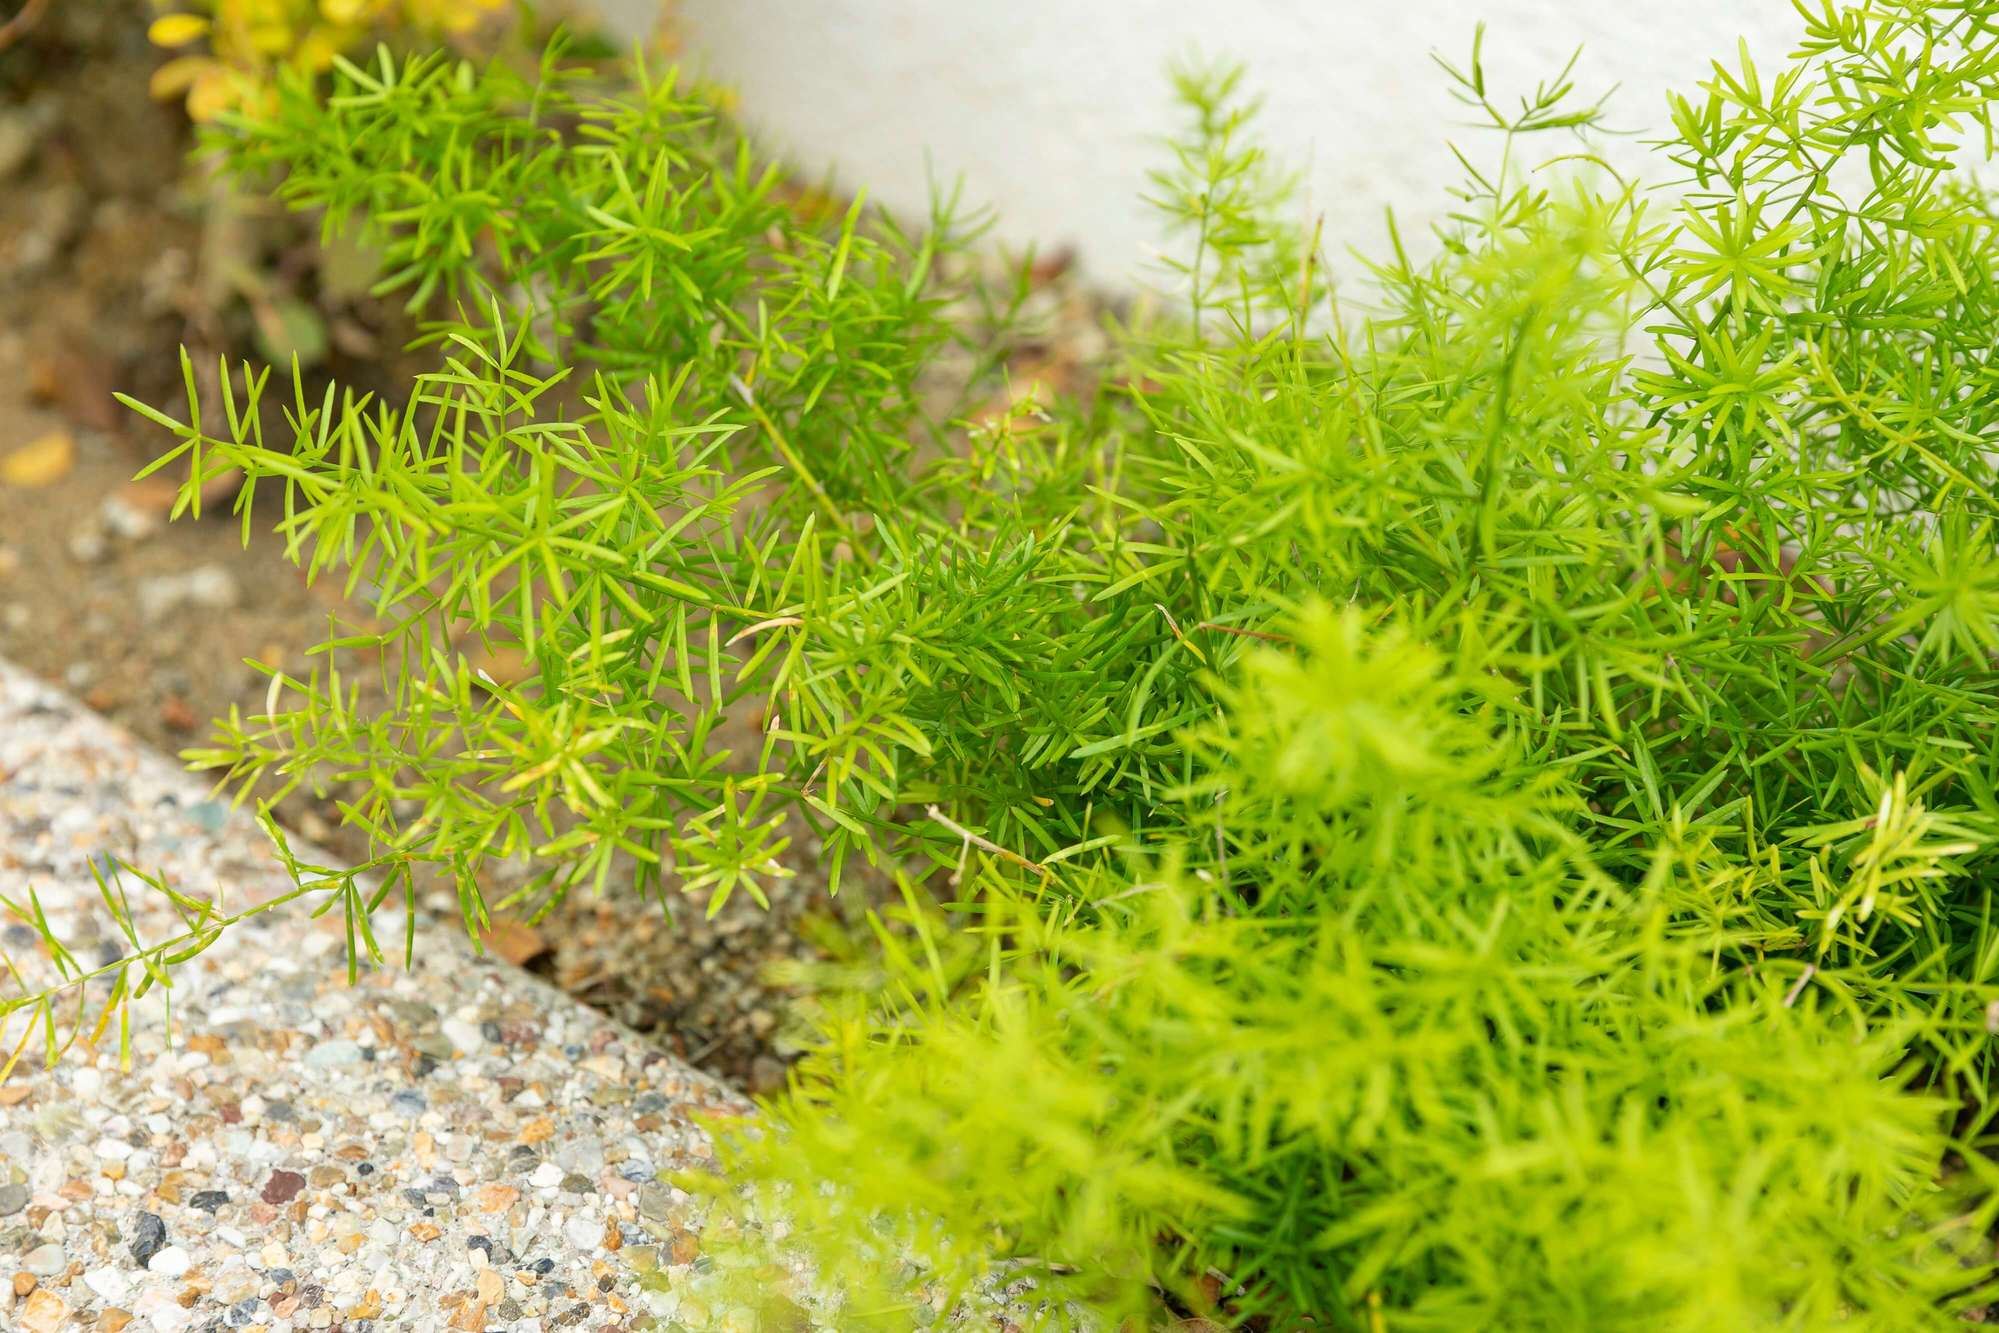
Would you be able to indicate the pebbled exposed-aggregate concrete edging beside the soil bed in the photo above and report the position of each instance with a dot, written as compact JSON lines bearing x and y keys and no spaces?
{"x":447,"y":1146}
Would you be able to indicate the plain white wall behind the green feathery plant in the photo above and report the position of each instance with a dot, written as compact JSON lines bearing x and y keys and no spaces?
{"x":1048,"y":109}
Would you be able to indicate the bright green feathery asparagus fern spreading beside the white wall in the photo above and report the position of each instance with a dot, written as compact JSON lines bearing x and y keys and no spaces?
{"x":1470,"y":810}
